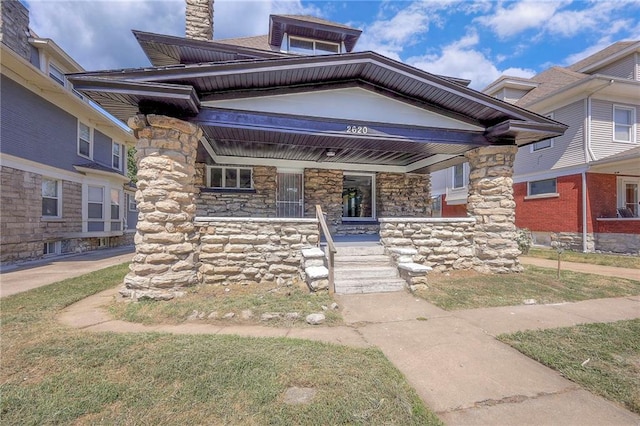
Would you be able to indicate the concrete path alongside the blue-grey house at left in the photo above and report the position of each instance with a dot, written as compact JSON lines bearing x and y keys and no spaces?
{"x":29,"y":275}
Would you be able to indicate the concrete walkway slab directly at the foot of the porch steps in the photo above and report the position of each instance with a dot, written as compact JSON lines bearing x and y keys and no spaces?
{"x":386,"y":307}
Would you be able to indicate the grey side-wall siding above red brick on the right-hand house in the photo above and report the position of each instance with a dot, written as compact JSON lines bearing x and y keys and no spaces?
{"x":567,"y":150}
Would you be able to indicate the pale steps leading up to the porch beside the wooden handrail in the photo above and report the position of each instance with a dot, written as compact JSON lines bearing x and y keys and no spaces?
{"x":365,"y":269}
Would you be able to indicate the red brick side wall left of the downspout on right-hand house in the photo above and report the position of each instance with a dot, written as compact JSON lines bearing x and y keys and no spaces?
{"x":557,"y":214}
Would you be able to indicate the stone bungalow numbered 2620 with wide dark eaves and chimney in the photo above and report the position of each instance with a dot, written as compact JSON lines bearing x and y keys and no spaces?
{"x":275,"y":125}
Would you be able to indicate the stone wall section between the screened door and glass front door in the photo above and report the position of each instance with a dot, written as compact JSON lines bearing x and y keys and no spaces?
{"x":323,"y":187}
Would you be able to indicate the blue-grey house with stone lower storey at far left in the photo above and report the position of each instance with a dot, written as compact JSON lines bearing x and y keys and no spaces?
{"x":63,"y":163}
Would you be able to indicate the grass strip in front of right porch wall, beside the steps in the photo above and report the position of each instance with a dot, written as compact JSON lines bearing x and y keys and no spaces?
{"x":469,"y":290}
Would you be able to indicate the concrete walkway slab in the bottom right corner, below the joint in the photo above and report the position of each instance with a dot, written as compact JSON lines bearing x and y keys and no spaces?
{"x":576,"y":407}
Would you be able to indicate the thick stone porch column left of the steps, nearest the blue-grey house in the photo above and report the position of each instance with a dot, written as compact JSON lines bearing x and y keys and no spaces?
{"x":166,"y":239}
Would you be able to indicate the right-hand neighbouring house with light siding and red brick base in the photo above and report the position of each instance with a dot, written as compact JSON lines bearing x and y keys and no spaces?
{"x":579,"y":190}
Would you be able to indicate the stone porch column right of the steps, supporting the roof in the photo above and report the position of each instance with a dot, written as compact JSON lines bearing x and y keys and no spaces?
{"x":491,"y":202}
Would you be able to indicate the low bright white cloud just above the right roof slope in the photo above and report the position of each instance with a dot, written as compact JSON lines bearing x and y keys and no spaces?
{"x":463,"y":60}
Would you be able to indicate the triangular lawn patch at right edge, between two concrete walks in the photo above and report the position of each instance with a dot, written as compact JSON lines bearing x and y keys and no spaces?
{"x":603,"y":358}
